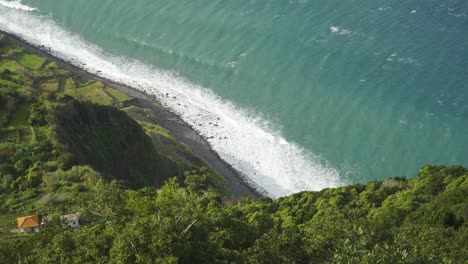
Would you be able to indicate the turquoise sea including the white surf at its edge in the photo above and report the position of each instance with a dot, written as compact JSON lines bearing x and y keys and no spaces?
{"x":361,"y":90}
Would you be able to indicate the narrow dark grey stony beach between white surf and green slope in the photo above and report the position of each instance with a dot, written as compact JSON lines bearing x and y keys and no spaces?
{"x":236,"y":182}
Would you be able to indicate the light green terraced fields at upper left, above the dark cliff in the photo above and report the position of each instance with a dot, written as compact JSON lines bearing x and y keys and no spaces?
{"x":26,"y":74}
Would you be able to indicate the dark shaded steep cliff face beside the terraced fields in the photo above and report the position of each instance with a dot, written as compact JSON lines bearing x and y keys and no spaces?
{"x":111,"y":142}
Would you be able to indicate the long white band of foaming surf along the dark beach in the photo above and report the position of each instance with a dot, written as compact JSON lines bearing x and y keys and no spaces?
{"x":250,"y":143}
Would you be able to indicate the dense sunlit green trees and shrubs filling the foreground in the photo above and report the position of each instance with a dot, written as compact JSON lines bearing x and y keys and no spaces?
{"x":397,"y":220}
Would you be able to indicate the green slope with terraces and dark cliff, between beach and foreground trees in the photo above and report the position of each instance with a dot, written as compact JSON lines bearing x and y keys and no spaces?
{"x":60,"y":133}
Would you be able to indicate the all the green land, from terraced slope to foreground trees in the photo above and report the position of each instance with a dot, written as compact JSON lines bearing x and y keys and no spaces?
{"x":59,"y":154}
